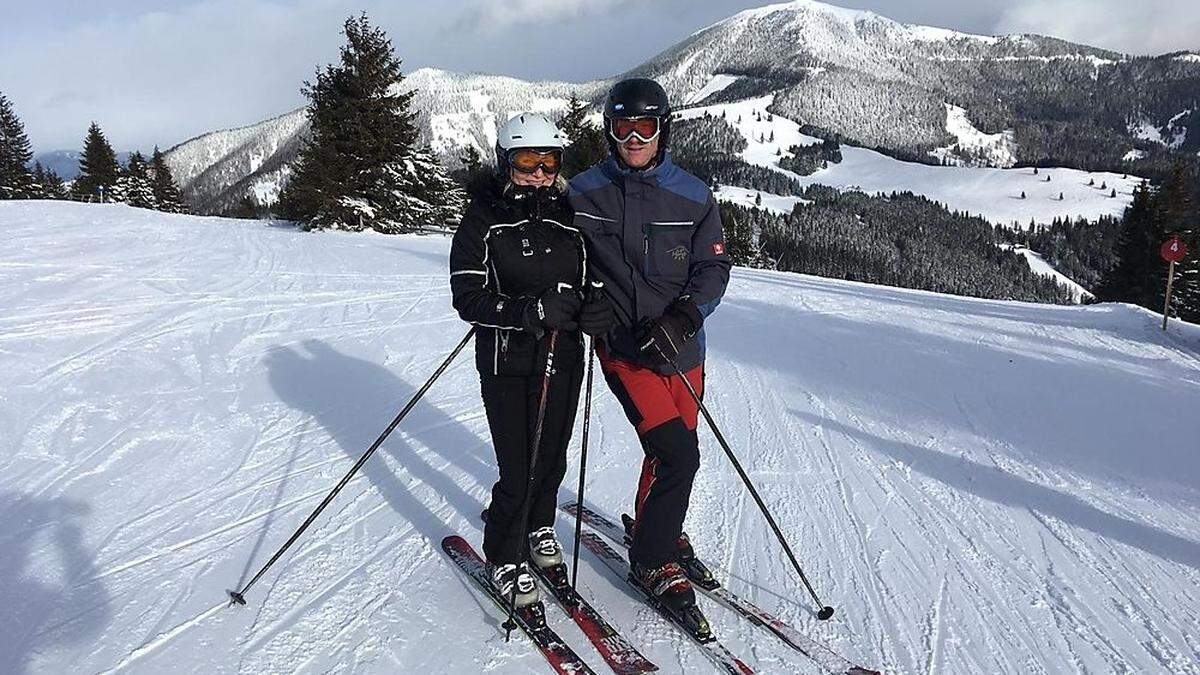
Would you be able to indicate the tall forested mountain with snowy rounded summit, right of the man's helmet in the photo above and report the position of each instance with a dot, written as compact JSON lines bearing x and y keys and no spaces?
{"x":914,"y":91}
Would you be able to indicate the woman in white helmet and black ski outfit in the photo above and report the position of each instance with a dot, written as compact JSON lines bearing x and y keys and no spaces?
{"x":518,"y":271}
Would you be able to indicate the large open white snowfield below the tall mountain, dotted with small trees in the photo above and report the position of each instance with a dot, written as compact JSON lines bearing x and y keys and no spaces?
{"x":993,"y":194}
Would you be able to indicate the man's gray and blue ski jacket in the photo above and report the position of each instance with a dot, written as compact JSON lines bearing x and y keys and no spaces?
{"x":653,"y":237}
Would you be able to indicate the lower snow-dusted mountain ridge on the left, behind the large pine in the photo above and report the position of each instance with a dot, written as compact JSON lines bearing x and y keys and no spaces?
{"x":218,"y":170}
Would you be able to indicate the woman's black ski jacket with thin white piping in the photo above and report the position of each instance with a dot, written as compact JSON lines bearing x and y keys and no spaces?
{"x":512,"y":247}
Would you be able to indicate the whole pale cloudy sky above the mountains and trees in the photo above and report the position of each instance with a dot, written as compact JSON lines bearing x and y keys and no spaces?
{"x":157,"y":73}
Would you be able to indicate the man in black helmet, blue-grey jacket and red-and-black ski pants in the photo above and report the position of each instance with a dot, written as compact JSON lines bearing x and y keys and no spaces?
{"x":655,"y":240}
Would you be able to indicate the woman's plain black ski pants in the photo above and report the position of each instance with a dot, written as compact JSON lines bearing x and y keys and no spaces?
{"x":512,"y":405}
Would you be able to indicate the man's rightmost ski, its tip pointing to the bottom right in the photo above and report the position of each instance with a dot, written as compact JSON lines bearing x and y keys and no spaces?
{"x":704,"y":580}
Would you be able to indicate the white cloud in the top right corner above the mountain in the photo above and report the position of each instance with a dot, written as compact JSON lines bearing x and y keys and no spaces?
{"x":1149,"y":27}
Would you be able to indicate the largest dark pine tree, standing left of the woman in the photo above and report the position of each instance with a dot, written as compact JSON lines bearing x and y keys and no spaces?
{"x":362,"y":166}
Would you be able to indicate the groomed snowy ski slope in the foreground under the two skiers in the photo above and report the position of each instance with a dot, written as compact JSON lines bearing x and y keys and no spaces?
{"x":979,"y":487}
